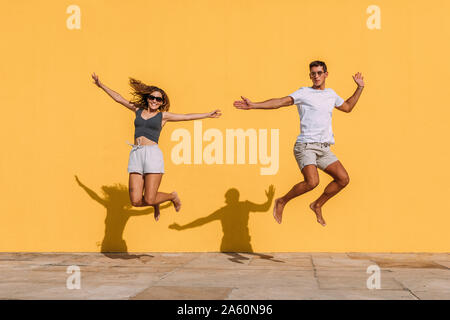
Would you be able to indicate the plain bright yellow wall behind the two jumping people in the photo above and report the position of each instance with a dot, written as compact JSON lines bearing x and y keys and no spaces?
{"x":56,"y":124}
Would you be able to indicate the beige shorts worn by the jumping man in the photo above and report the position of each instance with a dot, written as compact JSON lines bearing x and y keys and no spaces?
{"x":315,"y":153}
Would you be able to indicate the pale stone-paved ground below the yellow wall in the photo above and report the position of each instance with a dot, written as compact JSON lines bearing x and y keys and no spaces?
{"x":224,"y":276}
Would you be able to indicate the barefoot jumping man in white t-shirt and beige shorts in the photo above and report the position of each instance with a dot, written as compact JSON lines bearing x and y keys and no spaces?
{"x":312,"y":148}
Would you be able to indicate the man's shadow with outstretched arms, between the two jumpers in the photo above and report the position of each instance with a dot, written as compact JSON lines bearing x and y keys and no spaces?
{"x":234,"y":219}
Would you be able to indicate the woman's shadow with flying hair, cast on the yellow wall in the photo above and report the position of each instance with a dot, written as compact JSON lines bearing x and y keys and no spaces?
{"x":118,"y":211}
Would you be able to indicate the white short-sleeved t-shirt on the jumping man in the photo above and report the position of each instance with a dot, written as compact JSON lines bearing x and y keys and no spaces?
{"x":315,"y":108}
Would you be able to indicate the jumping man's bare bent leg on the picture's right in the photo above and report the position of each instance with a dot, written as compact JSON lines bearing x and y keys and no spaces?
{"x":341,"y":179}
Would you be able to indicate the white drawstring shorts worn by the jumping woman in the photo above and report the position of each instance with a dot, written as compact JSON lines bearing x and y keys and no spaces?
{"x":146,"y":159}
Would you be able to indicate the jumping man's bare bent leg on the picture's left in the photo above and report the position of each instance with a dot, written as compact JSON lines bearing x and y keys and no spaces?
{"x":311,"y":181}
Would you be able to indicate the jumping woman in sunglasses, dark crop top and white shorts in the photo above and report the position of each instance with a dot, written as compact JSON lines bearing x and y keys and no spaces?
{"x":145,"y":165}
